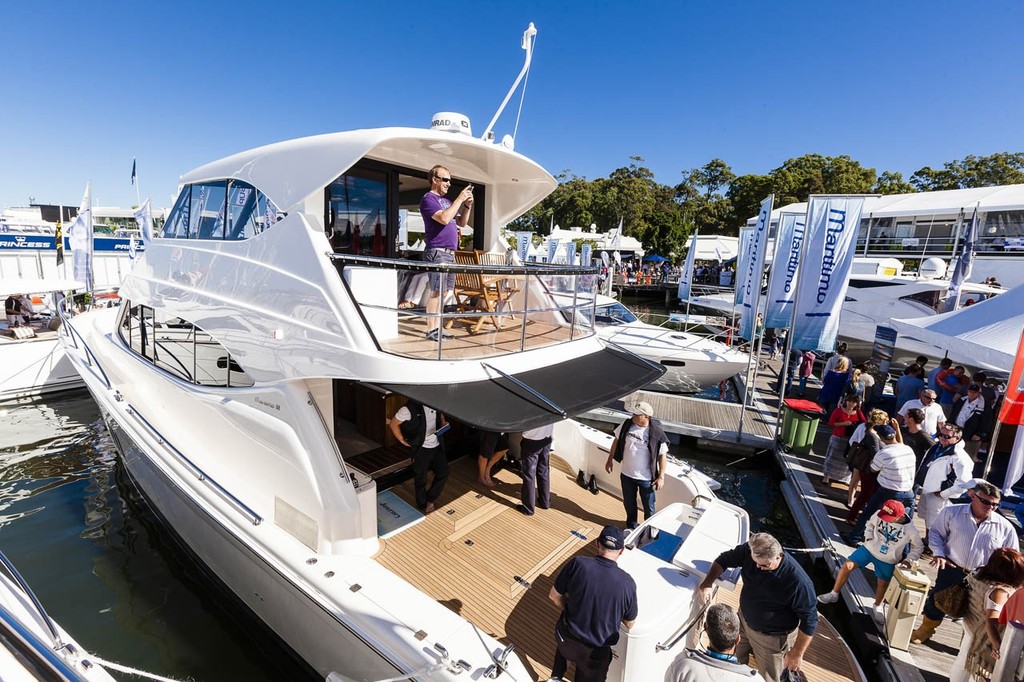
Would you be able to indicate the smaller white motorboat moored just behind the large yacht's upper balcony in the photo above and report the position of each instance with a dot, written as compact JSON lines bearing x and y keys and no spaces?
{"x":692,"y":362}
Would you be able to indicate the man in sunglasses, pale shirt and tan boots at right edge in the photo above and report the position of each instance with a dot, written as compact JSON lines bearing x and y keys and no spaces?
{"x":963,"y":539}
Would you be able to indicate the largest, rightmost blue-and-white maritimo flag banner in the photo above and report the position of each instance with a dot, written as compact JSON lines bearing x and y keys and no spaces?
{"x":832,"y":230}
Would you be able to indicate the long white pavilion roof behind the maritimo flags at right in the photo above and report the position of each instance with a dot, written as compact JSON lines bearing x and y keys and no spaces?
{"x":947,"y":203}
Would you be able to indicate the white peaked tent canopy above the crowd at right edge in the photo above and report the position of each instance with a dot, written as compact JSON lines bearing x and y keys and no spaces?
{"x":985,"y":335}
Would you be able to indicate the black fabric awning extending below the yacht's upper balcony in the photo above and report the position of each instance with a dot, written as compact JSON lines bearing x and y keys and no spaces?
{"x":569,"y":389}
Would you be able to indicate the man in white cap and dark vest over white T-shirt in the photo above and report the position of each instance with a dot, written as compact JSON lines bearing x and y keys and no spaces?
{"x":643,"y":448}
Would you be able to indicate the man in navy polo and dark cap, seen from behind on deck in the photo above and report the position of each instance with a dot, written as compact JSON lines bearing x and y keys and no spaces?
{"x":595,"y":596}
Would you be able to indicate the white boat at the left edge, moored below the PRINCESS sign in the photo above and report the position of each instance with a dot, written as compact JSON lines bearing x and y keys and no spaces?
{"x":32,"y":360}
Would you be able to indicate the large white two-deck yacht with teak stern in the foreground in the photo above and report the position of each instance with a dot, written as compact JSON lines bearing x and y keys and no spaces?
{"x":248,"y":377}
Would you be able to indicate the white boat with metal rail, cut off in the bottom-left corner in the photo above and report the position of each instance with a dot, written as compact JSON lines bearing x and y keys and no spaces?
{"x":32,"y":646}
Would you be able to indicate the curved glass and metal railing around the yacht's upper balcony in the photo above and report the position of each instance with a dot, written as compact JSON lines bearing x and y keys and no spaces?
{"x":490,"y":311}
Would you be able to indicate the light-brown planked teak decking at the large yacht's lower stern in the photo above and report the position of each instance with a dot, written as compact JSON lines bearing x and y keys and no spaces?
{"x":485,"y":561}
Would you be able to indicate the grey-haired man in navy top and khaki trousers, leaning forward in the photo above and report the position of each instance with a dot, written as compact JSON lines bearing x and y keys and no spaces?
{"x":778,"y":608}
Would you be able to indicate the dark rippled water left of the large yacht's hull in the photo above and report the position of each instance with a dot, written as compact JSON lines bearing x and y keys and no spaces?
{"x":101,"y":564}
